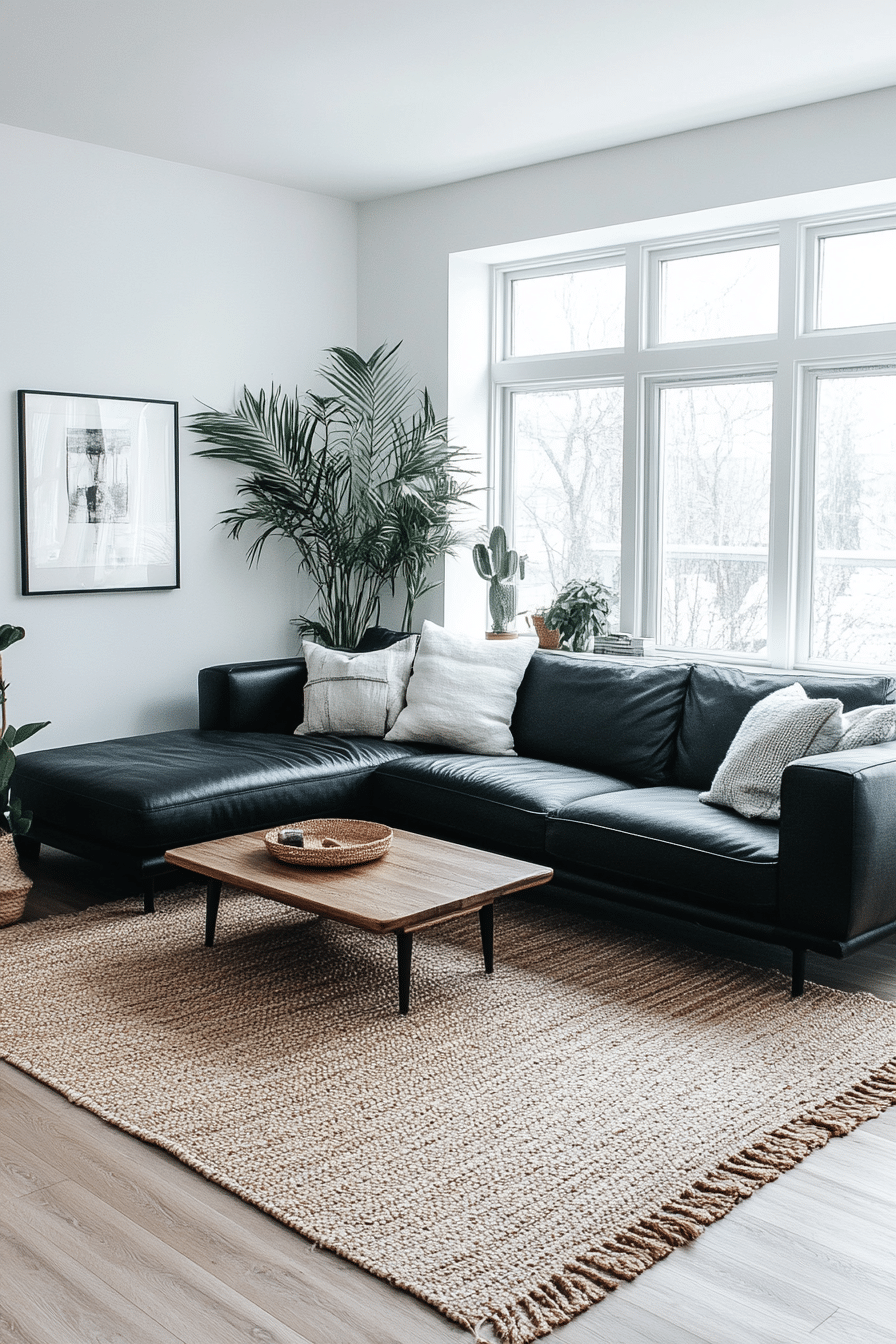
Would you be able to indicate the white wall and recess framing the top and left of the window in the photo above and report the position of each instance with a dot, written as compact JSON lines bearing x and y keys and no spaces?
{"x":405,"y":243}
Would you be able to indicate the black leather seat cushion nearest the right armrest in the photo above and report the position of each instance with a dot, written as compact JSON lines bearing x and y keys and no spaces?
{"x":668,"y":837}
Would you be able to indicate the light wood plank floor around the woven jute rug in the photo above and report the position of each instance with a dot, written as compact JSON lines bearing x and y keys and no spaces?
{"x":104,"y":1238}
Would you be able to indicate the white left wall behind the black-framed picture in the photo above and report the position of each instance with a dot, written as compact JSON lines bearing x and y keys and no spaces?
{"x":130,"y":276}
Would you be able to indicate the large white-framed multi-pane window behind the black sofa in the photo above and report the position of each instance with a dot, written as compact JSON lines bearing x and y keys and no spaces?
{"x":709,"y":425}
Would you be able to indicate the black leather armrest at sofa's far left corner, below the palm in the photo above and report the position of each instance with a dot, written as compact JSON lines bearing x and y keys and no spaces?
{"x":253,"y":697}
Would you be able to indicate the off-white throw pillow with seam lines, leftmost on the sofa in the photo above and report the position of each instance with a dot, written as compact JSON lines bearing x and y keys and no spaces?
{"x":355,"y":694}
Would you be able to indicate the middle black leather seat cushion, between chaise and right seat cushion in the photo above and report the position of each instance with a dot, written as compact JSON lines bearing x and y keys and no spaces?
{"x":503,"y":800}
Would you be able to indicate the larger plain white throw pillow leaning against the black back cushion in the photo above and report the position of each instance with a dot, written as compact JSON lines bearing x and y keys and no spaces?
{"x":463,"y":693}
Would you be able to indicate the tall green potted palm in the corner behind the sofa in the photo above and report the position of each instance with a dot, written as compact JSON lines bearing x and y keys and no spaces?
{"x":363,"y":482}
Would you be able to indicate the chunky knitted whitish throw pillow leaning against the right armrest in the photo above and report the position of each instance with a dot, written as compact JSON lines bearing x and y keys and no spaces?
{"x":780,"y":729}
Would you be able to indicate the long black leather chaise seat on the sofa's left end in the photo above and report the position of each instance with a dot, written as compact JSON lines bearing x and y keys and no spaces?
{"x":178,"y":788}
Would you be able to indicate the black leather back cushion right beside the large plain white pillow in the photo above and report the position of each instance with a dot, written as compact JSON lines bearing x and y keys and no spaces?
{"x":617,"y":718}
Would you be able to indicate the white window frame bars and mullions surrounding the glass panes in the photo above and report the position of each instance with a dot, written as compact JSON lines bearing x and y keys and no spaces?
{"x":793,"y":360}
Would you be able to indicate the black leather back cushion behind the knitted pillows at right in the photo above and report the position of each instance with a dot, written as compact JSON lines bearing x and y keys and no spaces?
{"x":719,"y":700}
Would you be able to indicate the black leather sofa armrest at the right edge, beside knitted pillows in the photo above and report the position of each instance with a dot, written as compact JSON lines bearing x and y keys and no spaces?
{"x":838,"y":859}
